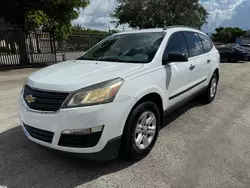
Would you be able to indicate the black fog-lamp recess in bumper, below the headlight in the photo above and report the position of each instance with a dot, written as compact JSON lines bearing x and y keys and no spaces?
{"x":79,"y":141}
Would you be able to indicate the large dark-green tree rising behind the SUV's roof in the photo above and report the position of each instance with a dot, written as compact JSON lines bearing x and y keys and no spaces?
{"x":160,"y":13}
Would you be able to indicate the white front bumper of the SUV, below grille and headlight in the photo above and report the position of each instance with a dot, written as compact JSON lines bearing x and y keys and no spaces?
{"x":112,"y":115}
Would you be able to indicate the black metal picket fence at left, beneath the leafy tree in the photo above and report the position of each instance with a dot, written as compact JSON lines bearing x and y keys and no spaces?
{"x":21,"y":49}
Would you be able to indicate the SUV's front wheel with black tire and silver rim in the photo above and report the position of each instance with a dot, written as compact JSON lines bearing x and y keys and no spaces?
{"x":131,"y":147}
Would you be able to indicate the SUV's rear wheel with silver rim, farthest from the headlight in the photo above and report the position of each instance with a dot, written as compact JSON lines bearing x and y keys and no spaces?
{"x":210,"y":93}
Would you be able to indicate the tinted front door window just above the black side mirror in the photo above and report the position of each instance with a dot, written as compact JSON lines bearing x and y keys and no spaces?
{"x":177,"y":44}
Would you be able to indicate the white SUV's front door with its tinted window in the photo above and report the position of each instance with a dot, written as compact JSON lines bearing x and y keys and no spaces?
{"x":179,"y":72}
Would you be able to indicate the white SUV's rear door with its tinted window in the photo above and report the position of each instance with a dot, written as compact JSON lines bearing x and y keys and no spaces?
{"x":198,"y":61}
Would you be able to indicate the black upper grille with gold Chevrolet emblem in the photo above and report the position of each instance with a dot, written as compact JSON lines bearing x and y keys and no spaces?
{"x":44,"y":100}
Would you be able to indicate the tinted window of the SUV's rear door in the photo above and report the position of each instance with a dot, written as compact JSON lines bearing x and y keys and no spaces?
{"x":194,"y":44}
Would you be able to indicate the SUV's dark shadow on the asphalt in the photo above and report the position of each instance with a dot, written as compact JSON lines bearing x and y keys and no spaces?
{"x":25,"y":164}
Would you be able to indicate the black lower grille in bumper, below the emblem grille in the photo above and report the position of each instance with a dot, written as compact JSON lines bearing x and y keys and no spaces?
{"x":39,"y":134}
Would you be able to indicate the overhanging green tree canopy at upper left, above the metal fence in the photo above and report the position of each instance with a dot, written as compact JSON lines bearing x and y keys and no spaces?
{"x":51,"y":15}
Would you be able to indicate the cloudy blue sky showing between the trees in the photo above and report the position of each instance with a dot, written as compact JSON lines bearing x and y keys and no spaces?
{"x":235,"y":13}
